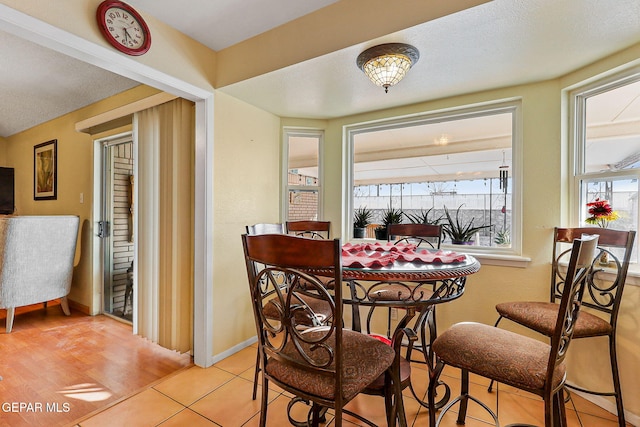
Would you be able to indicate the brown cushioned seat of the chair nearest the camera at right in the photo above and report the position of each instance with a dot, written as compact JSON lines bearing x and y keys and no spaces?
{"x":476,"y":347}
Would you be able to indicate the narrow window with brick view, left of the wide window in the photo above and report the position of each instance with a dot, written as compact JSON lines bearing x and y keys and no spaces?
{"x":303,"y":194}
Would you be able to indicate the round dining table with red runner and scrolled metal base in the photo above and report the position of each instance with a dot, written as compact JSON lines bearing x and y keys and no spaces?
{"x":407,"y":278}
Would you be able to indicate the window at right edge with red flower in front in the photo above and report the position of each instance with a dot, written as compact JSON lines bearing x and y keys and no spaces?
{"x":606,"y":124}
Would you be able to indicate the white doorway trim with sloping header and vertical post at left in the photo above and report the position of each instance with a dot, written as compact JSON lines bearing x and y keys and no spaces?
{"x":44,"y":34}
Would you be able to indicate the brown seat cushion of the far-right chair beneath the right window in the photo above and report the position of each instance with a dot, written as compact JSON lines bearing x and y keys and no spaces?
{"x":542,"y":316}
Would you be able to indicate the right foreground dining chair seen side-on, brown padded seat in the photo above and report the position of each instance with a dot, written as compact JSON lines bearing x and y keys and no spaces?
{"x":513,"y":359}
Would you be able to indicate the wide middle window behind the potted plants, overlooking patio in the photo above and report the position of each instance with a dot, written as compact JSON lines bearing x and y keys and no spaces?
{"x":461,"y":161}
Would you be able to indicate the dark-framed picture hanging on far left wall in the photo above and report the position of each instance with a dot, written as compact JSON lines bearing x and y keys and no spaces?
{"x":45,"y":170}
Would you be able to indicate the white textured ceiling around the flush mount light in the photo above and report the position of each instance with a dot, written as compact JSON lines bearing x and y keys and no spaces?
{"x":497,"y":44}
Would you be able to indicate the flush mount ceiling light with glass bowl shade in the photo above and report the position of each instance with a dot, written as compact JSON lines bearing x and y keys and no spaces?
{"x":386,"y":64}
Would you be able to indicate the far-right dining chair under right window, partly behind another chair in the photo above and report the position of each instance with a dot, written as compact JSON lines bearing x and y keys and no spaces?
{"x":605,"y":284}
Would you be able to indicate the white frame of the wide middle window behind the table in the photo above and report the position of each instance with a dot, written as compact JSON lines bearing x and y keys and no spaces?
{"x":513,"y":105}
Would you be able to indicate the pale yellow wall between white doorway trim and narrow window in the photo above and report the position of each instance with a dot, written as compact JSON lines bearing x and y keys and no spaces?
{"x":246,"y":187}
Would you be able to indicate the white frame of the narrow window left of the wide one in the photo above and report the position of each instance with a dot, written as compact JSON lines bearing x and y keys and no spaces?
{"x":288,"y":133}
